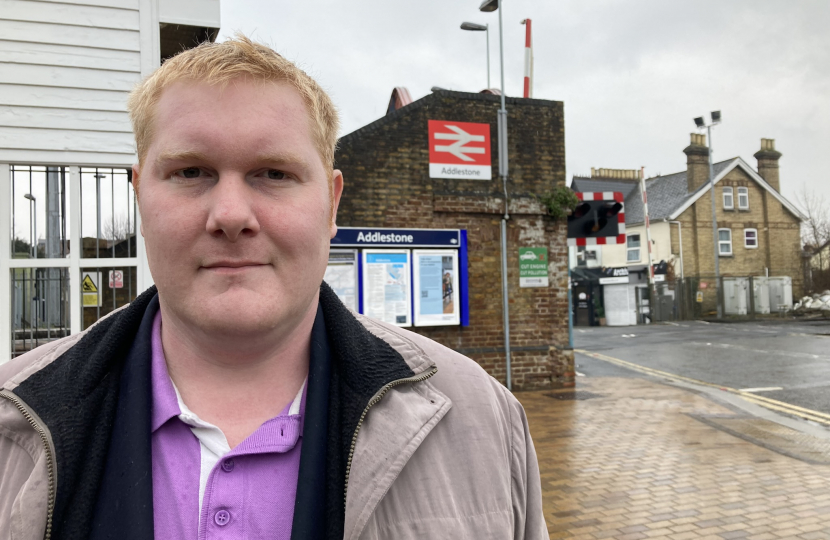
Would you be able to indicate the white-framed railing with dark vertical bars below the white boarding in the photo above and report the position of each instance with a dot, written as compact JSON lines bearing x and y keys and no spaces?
{"x":87,"y":199}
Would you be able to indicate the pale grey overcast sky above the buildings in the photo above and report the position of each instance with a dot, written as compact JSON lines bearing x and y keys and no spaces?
{"x":632,"y":74}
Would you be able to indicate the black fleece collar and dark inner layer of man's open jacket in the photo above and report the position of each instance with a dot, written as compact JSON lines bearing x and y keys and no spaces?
{"x":88,"y":399}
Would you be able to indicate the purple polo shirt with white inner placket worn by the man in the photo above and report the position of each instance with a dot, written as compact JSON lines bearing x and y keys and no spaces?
{"x":249,"y":492}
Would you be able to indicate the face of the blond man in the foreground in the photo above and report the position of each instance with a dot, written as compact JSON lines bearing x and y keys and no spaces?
{"x":235,"y":207}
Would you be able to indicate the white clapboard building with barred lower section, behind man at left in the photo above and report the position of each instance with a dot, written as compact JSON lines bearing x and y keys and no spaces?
{"x":69,"y":252}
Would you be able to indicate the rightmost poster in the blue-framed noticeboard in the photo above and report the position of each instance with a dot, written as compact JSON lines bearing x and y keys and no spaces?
{"x":436,"y":287}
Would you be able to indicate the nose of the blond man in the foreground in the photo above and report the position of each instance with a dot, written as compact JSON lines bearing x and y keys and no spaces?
{"x":232,"y":209}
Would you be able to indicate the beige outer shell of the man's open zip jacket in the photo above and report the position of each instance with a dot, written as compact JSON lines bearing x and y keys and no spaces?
{"x":448,"y":455}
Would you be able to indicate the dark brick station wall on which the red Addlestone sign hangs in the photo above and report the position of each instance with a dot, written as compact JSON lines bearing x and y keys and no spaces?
{"x":385,"y":165}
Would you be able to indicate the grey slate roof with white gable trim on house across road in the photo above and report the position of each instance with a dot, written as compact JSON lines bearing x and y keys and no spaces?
{"x":668,"y":195}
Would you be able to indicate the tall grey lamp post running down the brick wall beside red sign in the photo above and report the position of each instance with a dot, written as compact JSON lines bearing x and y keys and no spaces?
{"x":489,"y":6}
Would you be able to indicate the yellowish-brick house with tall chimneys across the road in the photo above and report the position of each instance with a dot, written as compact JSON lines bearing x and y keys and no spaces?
{"x":759,"y":231}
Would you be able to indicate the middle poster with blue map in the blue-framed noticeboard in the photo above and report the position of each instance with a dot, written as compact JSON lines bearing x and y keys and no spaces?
{"x":386,"y":287}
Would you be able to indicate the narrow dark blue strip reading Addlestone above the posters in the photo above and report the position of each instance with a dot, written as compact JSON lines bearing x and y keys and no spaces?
{"x":381,"y":237}
